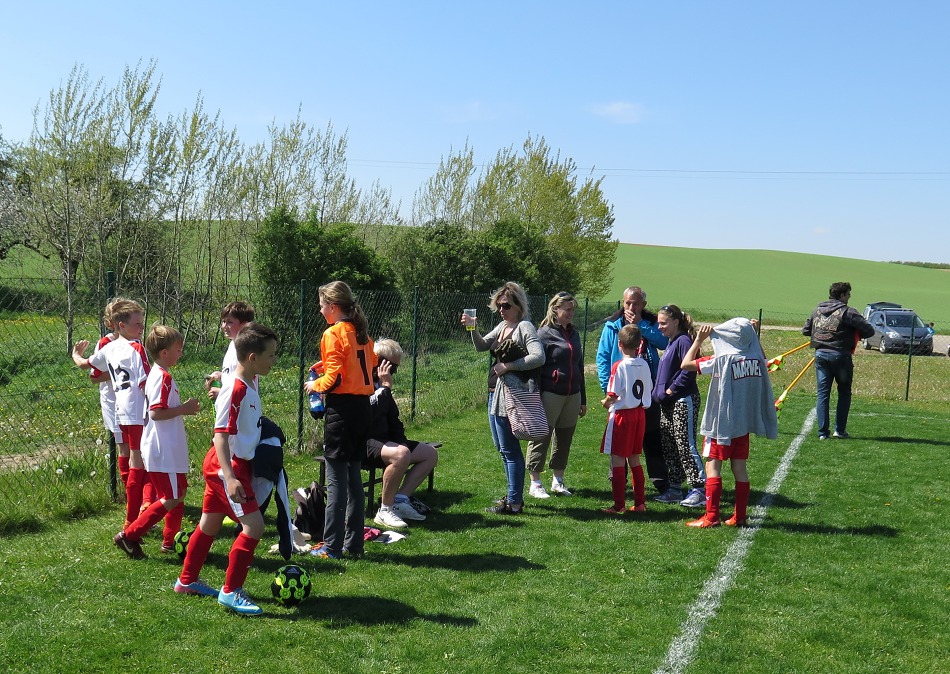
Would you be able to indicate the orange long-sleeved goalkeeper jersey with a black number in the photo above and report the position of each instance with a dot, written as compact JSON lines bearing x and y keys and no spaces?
{"x":347,"y":365}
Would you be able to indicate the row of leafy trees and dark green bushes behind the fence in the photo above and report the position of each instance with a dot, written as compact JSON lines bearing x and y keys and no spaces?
{"x":178,"y":206}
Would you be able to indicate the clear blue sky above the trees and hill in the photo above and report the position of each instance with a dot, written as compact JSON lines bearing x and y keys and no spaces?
{"x":818,"y":127}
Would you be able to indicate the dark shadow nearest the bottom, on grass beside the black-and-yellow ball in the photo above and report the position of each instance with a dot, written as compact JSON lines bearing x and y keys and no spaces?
{"x":341,"y":612}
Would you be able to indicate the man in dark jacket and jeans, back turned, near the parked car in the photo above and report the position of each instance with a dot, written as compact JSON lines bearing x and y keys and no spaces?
{"x":835,"y":329}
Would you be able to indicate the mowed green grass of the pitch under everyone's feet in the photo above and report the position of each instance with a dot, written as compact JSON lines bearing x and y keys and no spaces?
{"x":846,"y":574}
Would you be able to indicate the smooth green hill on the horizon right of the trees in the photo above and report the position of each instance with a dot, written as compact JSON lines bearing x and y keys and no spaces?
{"x":785,"y":285}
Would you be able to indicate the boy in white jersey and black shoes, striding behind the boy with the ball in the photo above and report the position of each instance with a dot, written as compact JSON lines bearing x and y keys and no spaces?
{"x":164,"y":444}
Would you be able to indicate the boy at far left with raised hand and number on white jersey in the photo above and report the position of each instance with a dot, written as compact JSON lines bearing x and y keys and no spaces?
{"x":127,"y":364}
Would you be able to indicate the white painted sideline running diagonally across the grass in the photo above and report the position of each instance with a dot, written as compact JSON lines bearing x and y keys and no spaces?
{"x":683,"y":647}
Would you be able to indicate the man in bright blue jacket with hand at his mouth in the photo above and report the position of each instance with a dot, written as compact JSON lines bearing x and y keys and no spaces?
{"x":608,"y":353}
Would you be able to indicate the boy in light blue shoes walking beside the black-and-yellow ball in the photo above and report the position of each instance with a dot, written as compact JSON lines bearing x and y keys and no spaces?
{"x":228,"y":473}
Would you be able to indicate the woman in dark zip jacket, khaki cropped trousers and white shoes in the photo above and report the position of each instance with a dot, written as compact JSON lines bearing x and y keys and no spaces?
{"x":563,"y":393}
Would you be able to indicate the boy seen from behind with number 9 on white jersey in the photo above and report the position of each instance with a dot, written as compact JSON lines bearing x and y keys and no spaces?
{"x":629,"y":394}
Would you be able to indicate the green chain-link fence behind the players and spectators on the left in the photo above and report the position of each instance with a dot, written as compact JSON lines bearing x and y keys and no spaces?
{"x":54,"y":451}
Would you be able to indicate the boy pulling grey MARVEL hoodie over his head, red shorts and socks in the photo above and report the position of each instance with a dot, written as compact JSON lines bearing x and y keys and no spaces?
{"x":739,"y":402}
